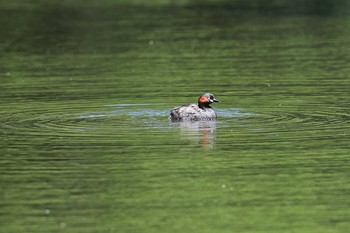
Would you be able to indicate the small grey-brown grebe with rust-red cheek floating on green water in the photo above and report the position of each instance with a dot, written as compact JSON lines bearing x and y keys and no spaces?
{"x":195,"y":112}
